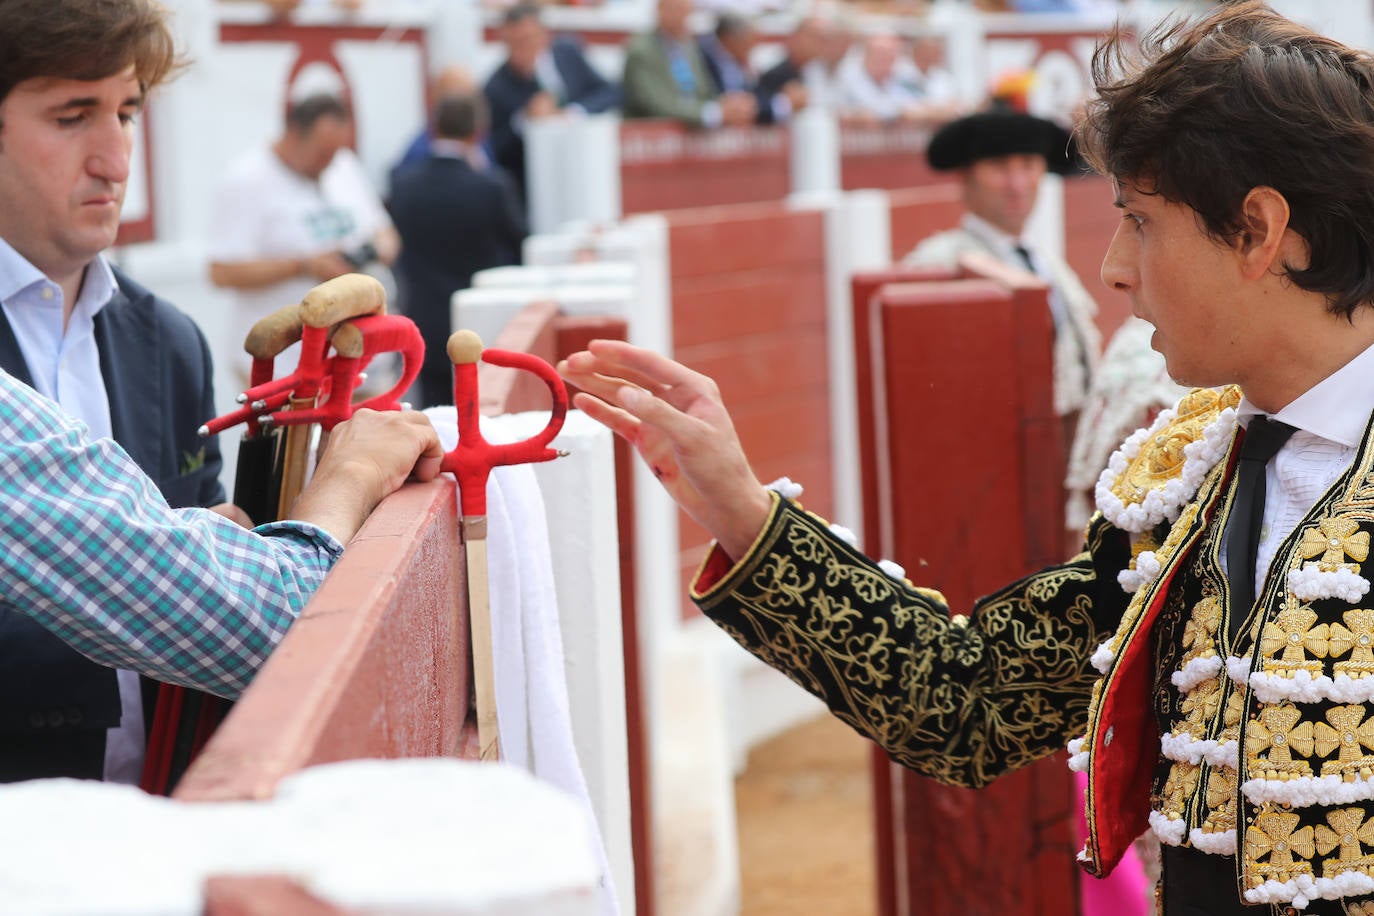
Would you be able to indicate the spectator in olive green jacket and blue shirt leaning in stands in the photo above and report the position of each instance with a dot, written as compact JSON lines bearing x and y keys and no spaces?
{"x":667,"y":78}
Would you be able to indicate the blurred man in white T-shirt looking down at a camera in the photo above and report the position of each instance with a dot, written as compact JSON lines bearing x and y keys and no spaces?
{"x":296,"y":214}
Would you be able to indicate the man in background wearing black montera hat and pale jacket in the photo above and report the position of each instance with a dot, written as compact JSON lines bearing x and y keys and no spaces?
{"x":1001,"y":159}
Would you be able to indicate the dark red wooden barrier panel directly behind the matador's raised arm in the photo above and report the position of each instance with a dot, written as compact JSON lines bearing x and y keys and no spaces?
{"x":973,"y":458}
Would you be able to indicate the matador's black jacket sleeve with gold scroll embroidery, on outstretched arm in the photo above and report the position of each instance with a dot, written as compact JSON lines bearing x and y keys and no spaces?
{"x":960,"y":700}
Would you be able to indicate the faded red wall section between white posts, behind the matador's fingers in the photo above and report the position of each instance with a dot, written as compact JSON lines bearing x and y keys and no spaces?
{"x":750,"y":311}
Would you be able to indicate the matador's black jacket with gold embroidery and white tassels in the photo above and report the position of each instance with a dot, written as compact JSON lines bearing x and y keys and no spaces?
{"x":1258,"y":748}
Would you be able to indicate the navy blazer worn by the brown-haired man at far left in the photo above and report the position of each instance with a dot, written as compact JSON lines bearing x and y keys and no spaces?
{"x":54,"y":702}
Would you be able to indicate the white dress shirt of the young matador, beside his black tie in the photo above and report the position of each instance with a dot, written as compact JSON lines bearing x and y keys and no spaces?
{"x":1331,"y":421}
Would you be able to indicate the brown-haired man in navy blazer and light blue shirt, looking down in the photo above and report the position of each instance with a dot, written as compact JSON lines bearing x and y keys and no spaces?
{"x":109,"y":352}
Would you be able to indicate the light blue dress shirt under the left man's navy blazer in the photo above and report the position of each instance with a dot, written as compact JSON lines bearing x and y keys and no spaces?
{"x":65,"y":366}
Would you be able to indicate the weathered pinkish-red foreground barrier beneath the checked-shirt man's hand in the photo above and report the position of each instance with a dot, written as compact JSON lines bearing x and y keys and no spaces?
{"x":376,"y":667}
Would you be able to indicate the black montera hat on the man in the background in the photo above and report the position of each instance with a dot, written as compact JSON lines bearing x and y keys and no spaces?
{"x":1000,"y":133}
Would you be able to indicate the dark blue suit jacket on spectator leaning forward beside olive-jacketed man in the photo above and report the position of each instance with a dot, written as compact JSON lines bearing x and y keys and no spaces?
{"x":508,"y":93}
